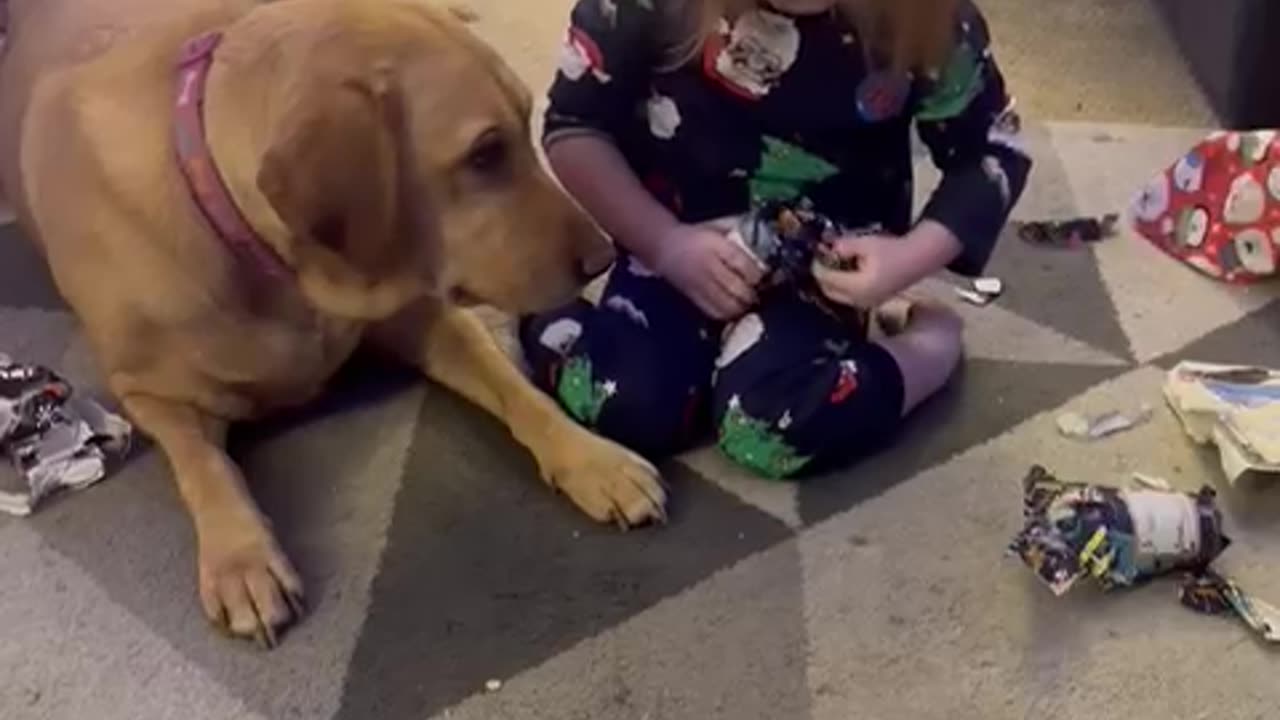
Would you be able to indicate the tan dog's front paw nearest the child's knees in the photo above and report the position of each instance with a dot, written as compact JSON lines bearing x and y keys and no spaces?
{"x":607,"y":481}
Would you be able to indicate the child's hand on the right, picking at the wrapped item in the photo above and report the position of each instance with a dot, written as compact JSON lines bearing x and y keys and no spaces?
{"x":885,"y":266}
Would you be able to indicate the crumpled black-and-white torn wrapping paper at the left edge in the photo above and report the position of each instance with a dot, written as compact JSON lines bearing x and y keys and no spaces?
{"x":56,"y":439}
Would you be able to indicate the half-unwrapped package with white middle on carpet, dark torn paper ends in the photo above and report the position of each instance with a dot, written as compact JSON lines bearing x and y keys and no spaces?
{"x":1118,"y":536}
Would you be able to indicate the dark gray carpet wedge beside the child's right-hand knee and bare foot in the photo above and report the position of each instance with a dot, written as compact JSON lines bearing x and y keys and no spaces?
{"x":988,"y":399}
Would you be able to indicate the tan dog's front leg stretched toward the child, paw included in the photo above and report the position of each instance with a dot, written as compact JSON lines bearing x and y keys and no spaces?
{"x":454,"y":348}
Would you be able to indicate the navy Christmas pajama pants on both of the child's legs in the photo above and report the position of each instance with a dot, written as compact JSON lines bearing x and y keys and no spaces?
{"x":787,"y":390}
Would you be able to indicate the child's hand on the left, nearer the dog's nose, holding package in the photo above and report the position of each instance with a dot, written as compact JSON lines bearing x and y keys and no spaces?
{"x":711,"y":270}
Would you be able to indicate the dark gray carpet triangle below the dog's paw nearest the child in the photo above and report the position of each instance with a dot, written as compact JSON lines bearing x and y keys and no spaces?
{"x":487,"y":573}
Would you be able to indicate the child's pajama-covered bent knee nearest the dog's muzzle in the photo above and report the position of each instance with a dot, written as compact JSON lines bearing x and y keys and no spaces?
{"x":637,"y":368}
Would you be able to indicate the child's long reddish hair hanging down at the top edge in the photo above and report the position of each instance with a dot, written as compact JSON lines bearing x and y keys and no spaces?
{"x":908,"y":35}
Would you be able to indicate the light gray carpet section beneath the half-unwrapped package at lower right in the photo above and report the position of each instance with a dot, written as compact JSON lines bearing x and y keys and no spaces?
{"x":916,"y":584}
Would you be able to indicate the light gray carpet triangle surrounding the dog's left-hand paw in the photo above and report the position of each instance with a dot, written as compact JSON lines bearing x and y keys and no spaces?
{"x":328,"y":481}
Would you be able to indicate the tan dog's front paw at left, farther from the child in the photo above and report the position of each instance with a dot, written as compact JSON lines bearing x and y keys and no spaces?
{"x":248,"y":586}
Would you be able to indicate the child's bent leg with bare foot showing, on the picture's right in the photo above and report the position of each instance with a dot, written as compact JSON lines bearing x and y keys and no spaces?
{"x":796,"y":394}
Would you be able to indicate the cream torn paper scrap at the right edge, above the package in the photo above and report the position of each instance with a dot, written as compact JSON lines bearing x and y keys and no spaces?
{"x":1236,"y":408}
